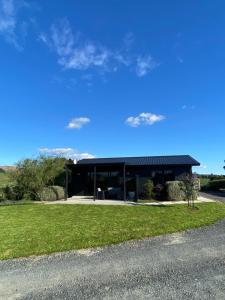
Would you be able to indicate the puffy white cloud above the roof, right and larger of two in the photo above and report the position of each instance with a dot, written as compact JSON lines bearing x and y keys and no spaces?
{"x":144,"y":119}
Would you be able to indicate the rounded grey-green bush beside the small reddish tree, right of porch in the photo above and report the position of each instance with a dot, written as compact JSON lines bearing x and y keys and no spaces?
{"x":174,"y":191}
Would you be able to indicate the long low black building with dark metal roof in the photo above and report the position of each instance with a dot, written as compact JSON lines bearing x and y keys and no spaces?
{"x":121,"y":175}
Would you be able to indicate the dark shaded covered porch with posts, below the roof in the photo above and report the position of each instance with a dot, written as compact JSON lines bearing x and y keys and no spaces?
{"x":114,"y":181}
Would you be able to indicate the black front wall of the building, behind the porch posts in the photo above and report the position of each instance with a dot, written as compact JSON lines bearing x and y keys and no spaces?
{"x":82,"y":177}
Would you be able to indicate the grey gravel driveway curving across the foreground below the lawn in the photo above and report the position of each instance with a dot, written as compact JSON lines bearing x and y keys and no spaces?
{"x":189,"y":265}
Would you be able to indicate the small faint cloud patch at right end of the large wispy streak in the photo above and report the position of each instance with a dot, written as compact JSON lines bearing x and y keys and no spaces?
{"x":145,"y":64}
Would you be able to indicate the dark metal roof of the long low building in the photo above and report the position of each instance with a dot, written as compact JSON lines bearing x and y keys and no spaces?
{"x":145,"y":160}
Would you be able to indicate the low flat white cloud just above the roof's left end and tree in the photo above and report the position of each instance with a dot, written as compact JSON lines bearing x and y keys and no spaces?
{"x":65,"y":152}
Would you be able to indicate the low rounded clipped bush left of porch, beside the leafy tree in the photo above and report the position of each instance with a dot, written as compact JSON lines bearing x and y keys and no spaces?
{"x":51,"y":193}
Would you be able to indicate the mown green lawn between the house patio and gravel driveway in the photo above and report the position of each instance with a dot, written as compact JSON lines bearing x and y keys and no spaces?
{"x":39,"y":229}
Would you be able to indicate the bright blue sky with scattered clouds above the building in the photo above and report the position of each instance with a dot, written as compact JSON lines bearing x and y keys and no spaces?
{"x":113,"y":78}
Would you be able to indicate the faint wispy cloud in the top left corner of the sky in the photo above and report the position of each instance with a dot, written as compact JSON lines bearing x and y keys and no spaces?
{"x":10,"y":27}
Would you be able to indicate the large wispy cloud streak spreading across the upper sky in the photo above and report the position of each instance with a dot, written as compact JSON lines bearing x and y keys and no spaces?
{"x":75,"y":52}
